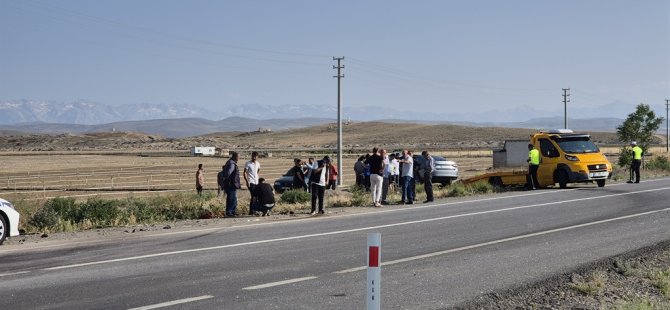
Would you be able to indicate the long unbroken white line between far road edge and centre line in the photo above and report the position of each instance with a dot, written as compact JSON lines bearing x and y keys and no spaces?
{"x":348,"y":230}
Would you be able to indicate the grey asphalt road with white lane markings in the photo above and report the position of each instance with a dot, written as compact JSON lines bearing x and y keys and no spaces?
{"x":434,"y":256}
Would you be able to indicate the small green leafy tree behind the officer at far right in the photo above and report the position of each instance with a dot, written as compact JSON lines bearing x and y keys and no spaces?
{"x":640,"y":126}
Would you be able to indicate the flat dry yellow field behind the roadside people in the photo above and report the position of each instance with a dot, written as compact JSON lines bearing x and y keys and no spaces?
{"x":47,"y":176}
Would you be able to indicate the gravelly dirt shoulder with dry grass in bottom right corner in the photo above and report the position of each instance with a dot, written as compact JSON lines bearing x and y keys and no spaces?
{"x":638,"y":279}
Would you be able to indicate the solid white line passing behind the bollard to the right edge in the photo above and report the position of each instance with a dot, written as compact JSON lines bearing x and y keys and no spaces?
{"x":474,"y":246}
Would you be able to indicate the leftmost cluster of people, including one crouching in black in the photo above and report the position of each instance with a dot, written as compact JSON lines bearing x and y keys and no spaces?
{"x":228,"y":182}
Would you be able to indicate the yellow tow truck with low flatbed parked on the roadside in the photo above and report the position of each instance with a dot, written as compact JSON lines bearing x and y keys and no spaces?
{"x":565,"y":157}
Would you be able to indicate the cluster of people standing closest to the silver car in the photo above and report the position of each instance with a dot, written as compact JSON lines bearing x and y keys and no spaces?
{"x":379,"y":170}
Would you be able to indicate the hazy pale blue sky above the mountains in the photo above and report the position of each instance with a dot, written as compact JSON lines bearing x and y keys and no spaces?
{"x":434,"y":55}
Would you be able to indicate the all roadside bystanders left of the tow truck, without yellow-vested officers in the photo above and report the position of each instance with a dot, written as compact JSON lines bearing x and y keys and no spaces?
{"x":377,"y":172}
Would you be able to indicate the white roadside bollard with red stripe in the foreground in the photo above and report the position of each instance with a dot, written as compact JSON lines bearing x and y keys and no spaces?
{"x":373,"y":301}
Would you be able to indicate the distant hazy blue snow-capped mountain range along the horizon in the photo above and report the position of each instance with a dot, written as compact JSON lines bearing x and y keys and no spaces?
{"x":84,"y":112}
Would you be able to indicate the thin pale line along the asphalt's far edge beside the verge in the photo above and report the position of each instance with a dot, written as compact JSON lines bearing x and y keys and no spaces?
{"x":405,"y":208}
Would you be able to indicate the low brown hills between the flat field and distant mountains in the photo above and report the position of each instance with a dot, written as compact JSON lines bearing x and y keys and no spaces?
{"x":356,"y":135}
